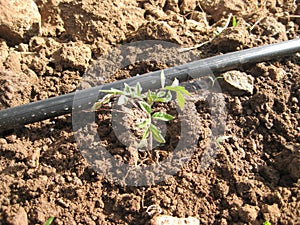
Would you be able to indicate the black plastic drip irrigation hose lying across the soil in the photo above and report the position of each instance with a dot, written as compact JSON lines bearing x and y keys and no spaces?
{"x":45,"y":109}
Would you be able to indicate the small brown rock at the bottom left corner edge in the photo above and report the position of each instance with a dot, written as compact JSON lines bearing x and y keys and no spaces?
{"x":17,"y":216}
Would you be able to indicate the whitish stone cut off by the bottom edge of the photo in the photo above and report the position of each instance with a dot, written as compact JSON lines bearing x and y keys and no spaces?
{"x":170,"y":220}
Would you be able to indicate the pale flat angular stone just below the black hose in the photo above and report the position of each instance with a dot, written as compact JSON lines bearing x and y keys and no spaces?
{"x":238,"y":82}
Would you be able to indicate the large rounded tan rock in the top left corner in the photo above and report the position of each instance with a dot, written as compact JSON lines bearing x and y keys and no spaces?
{"x":19,"y":20}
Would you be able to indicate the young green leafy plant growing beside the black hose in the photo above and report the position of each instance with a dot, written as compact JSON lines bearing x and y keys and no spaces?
{"x":145,"y":102}
